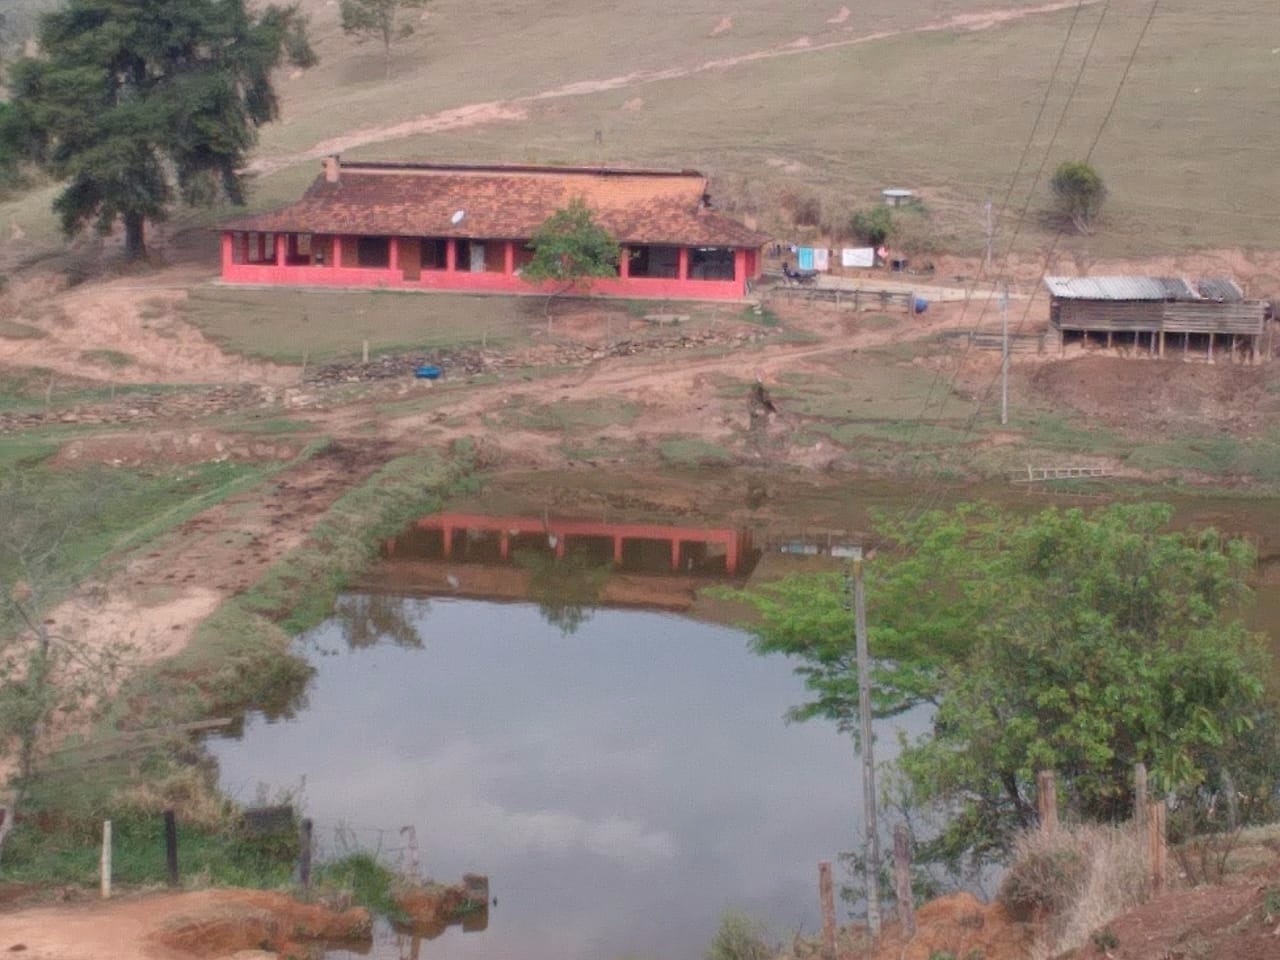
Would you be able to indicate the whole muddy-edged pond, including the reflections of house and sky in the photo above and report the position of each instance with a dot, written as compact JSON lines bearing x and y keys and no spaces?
{"x":621,"y":775}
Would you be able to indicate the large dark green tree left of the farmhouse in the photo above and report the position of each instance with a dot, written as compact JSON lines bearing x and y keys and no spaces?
{"x":134,"y":103}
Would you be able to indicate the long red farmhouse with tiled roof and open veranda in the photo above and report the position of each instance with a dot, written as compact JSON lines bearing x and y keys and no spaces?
{"x":467,"y":228}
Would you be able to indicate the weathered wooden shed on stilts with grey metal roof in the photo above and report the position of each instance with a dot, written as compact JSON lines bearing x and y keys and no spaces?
{"x":1209,"y":318}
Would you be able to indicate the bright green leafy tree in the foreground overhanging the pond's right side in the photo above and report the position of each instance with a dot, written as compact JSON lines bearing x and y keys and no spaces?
{"x":1082,"y":643}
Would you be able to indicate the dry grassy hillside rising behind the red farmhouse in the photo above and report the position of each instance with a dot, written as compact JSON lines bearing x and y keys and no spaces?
{"x":947,"y":112}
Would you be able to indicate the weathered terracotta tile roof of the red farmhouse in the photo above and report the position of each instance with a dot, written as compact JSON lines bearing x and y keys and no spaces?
{"x":505,"y":203}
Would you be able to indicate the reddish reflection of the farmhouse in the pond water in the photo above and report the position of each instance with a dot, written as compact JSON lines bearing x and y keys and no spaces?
{"x":479,"y":556}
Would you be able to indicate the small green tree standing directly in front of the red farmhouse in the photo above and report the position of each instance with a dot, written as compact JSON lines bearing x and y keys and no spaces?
{"x":570,"y":252}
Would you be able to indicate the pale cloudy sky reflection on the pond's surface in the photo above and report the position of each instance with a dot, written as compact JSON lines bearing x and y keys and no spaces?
{"x":621,"y":785}
